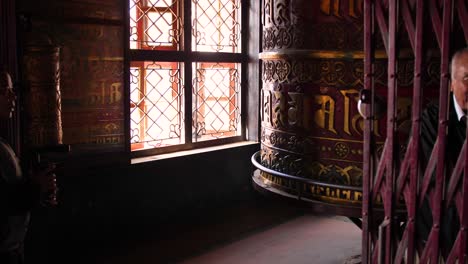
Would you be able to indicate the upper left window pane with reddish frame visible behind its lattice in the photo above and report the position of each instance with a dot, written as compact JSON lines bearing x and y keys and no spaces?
{"x":155,"y":24}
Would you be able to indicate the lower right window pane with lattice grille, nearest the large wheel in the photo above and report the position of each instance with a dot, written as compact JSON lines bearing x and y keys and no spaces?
{"x":216,"y":101}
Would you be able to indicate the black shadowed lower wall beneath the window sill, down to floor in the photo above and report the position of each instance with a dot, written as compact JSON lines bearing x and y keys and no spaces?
{"x":101,"y":205}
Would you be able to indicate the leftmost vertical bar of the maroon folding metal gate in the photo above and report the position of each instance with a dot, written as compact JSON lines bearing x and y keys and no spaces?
{"x":367,"y":156}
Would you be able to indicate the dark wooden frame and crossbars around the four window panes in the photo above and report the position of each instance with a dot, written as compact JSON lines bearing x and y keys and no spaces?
{"x":187,"y":57}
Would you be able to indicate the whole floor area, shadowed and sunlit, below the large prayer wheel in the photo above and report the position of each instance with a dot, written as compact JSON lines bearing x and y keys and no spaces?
{"x":254,"y":232}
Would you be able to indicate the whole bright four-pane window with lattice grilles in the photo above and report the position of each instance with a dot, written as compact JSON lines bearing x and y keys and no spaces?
{"x":185,"y":68}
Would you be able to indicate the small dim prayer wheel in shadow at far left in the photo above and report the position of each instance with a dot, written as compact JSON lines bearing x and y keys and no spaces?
{"x":41,"y":75}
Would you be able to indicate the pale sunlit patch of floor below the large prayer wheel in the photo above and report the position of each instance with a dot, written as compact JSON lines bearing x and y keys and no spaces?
{"x":306,"y":239}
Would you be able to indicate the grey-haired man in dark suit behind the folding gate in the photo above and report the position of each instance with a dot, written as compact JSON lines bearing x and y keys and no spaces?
{"x":455,"y":139}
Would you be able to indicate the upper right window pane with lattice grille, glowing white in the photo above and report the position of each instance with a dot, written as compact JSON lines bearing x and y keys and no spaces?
{"x":216,"y":25}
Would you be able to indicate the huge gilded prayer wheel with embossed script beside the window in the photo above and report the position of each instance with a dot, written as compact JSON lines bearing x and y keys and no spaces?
{"x":312,"y":73}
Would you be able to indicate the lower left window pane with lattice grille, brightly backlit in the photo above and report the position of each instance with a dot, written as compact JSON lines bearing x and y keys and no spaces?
{"x":156,"y":103}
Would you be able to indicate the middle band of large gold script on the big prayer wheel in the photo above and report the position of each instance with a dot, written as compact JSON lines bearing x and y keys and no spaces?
{"x":296,"y":110}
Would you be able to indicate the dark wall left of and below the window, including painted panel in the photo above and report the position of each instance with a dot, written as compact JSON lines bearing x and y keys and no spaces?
{"x":100,"y":192}
